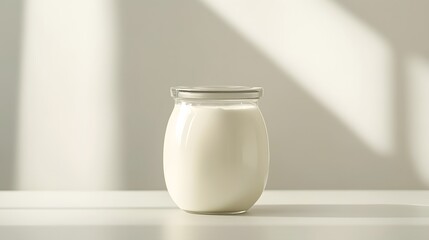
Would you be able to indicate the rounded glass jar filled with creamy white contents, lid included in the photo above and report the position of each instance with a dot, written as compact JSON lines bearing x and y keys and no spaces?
{"x":216,"y":153}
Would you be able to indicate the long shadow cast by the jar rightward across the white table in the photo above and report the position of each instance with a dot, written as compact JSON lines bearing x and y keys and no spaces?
{"x":340,"y":210}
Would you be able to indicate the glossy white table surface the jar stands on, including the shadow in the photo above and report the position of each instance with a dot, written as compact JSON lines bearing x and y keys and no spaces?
{"x":277,"y":215}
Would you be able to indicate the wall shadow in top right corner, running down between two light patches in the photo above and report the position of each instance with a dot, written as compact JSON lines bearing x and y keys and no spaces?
{"x":404,"y":24}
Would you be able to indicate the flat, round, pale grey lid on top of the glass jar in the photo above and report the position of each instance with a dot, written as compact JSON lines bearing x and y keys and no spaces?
{"x":217,"y":92}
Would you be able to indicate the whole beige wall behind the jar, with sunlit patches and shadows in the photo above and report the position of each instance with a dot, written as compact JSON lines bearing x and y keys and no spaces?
{"x":85,"y":88}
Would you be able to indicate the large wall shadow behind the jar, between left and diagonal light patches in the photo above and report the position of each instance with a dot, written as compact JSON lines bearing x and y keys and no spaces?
{"x":167,"y":43}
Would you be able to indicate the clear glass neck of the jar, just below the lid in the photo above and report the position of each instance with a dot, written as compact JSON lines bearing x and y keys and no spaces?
{"x":216,"y":102}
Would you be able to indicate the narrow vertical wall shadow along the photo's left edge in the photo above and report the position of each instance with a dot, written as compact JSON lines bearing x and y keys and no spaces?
{"x":10,"y":44}
